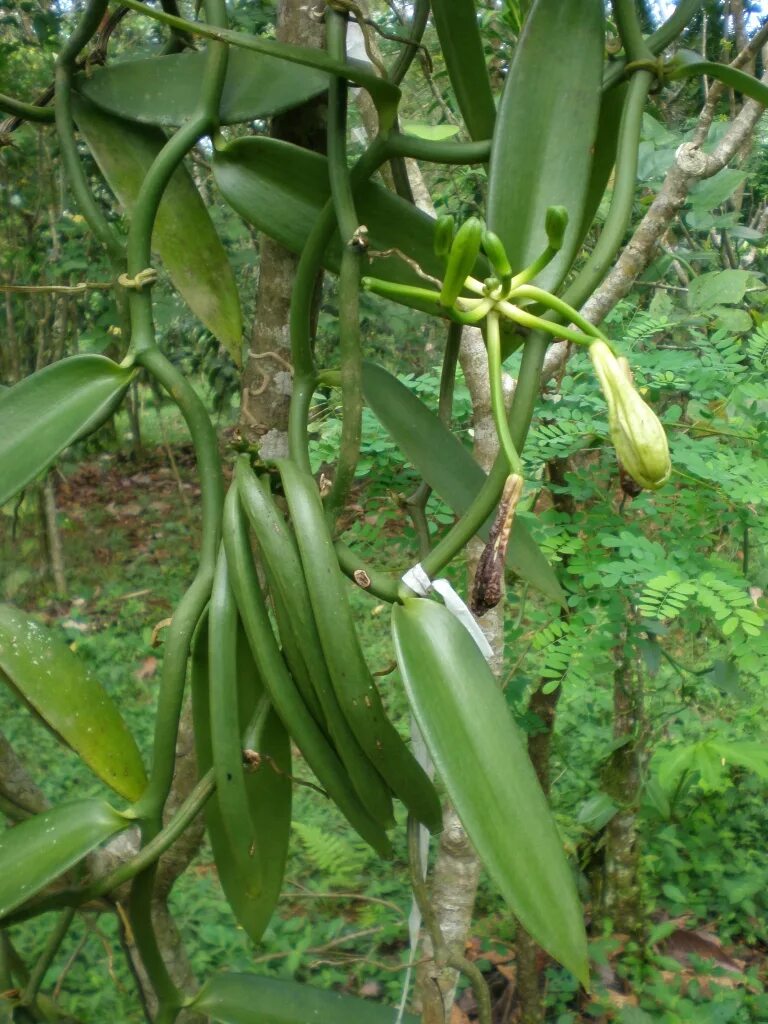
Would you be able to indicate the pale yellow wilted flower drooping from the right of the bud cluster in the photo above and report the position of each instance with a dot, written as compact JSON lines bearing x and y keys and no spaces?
{"x":635,"y":431}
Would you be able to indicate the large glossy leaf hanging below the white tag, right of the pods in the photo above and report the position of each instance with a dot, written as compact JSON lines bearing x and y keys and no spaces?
{"x":482,"y":757}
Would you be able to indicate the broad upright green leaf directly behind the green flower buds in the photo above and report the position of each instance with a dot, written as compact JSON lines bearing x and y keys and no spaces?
{"x":554,"y":81}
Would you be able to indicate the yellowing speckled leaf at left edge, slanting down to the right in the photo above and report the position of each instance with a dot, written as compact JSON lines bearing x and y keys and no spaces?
{"x":51,"y":679}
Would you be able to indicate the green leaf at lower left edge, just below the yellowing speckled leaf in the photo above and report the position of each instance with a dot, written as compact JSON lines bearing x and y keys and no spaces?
{"x":38,"y":850}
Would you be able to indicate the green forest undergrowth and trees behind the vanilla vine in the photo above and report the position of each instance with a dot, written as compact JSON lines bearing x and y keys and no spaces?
{"x":644,"y":702}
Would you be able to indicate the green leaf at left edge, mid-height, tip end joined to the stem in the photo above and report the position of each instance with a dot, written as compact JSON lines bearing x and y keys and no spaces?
{"x":46,"y":413}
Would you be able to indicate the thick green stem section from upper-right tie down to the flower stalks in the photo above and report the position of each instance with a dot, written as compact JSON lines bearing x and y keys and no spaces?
{"x":623,"y":199}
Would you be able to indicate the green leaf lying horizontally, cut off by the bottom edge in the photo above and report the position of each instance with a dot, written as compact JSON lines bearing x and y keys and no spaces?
{"x":246,"y":999}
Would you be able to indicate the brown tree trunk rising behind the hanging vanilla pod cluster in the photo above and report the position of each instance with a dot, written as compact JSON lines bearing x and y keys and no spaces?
{"x":267,"y":377}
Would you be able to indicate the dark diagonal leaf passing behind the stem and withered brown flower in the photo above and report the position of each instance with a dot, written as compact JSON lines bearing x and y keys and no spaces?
{"x":449,"y":468}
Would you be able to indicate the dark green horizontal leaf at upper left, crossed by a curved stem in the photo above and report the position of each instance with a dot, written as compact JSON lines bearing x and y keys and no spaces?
{"x":164,"y":91}
